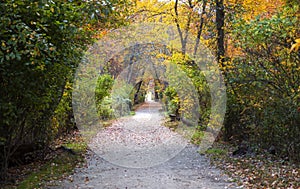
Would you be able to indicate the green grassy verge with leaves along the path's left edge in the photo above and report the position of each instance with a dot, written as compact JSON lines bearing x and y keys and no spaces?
{"x":58,"y":165}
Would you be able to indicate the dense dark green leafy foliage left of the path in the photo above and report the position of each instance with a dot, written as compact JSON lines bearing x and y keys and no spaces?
{"x":42,"y":43}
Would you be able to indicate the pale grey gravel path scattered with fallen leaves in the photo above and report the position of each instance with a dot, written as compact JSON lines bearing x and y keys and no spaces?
{"x":138,"y":153}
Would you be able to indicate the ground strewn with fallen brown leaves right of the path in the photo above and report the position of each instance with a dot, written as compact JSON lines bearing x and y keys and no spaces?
{"x":255,"y":170}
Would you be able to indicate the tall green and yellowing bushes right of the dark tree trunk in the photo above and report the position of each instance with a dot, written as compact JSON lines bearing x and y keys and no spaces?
{"x":263,"y":85}
